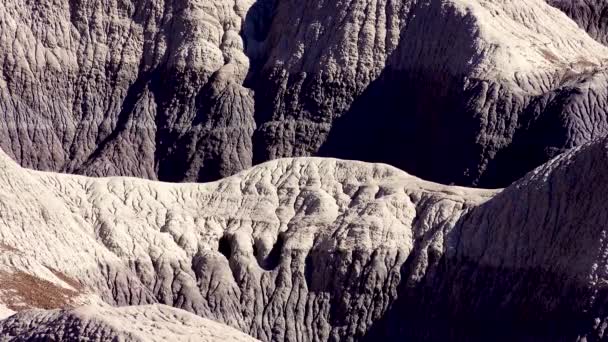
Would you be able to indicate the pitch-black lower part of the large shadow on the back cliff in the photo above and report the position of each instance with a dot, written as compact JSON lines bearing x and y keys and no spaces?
{"x":400,"y":121}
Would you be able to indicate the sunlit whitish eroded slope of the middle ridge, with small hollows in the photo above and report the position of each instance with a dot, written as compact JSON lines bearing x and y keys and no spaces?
{"x":131,"y":241}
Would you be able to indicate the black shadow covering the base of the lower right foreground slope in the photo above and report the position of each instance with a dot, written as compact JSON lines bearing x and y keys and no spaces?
{"x":459,"y":299}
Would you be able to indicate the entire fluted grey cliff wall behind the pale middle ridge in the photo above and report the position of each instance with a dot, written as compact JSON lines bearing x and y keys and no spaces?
{"x":450,"y":90}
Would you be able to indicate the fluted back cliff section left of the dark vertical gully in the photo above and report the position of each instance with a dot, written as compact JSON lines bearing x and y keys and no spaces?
{"x":143,"y":88}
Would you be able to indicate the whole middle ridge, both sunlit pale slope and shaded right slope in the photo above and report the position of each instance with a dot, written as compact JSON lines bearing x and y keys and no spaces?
{"x":323,"y":250}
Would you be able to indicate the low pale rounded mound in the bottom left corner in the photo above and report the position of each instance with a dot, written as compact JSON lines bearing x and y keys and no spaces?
{"x":139,"y":323}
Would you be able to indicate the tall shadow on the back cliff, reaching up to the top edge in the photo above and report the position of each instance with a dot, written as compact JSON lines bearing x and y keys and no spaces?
{"x":417,"y":114}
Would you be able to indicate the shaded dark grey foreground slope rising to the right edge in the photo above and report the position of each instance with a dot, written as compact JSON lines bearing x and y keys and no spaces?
{"x":527,"y":265}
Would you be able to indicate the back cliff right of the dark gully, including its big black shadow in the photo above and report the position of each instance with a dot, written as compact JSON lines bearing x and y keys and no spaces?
{"x":466,"y":92}
